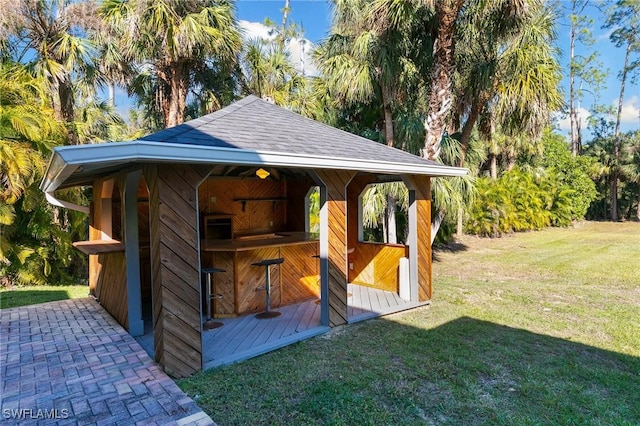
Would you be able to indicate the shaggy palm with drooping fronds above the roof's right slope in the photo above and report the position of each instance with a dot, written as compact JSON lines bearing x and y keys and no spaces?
{"x":367,"y":61}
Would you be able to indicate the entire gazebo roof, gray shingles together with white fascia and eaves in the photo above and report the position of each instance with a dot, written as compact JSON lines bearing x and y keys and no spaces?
{"x":248,"y":132}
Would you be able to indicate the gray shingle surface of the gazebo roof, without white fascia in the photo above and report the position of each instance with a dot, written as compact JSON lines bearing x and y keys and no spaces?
{"x":257,"y":125}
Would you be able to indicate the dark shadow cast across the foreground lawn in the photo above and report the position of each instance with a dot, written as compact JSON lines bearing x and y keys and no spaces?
{"x":465,"y":371}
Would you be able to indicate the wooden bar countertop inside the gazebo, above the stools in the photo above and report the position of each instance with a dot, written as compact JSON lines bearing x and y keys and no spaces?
{"x":258,"y":241}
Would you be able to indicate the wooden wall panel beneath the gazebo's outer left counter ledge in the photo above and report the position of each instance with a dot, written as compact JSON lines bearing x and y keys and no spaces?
{"x":111,"y":285}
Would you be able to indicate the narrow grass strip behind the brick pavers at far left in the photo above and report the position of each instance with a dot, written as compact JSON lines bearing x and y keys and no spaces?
{"x":30,"y":295}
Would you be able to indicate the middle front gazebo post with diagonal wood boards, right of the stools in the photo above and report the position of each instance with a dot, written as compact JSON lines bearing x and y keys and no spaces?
{"x":333,"y":245}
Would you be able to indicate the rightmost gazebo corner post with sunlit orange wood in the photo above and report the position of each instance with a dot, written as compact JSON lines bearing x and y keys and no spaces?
{"x":419,"y":240}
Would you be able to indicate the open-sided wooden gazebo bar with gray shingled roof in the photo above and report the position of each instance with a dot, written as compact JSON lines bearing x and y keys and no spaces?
{"x":229,"y":190}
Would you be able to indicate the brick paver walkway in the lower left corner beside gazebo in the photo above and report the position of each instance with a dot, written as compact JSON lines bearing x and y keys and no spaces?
{"x":70,"y":362}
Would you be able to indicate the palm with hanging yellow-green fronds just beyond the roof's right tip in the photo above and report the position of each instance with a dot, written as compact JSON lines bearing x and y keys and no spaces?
{"x":508,"y":75}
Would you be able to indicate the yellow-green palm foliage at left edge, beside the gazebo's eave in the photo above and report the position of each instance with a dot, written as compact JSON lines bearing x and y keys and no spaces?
{"x":35,"y":238}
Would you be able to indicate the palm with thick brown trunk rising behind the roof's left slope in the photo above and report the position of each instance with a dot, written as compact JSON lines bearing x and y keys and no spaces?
{"x":173,"y":40}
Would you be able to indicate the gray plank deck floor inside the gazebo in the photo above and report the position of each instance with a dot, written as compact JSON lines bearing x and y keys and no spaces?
{"x":246,"y":337}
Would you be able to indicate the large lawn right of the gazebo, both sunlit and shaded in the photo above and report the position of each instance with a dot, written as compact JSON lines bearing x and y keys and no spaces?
{"x":535,"y":328}
